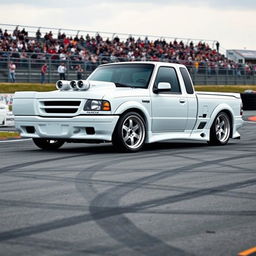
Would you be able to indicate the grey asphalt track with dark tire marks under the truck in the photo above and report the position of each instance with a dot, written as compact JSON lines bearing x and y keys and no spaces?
{"x":175,"y":199}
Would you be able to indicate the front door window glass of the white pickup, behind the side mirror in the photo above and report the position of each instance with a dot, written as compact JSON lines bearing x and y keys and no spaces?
{"x":168,"y":74}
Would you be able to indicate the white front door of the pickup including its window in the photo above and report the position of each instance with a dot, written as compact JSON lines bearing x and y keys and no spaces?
{"x":169,"y":107}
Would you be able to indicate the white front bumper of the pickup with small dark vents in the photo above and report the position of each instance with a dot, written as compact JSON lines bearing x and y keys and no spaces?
{"x":79,"y":127}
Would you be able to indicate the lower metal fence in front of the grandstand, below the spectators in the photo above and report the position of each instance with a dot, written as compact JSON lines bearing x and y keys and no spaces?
{"x":29,"y":70}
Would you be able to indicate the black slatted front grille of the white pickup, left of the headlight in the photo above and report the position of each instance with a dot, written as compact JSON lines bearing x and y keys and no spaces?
{"x":59,"y":107}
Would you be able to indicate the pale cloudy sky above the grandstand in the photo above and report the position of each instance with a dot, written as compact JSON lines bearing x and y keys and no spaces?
{"x":232,"y":23}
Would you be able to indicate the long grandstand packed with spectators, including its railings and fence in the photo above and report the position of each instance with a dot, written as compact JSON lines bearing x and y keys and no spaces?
{"x":30,"y":47}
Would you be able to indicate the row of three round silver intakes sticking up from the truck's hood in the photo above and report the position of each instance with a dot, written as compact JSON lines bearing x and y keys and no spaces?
{"x":80,"y":85}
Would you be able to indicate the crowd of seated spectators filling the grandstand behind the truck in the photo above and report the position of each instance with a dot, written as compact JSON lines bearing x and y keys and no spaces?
{"x":94,"y":50}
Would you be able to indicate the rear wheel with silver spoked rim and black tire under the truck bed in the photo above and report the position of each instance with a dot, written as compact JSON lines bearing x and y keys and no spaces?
{"x":220,"y":130}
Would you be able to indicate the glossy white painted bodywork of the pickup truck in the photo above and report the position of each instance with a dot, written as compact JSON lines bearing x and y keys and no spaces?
{"x":168,"y":116}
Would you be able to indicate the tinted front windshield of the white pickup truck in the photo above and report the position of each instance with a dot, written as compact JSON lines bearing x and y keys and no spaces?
{"x":124,"y":75}
